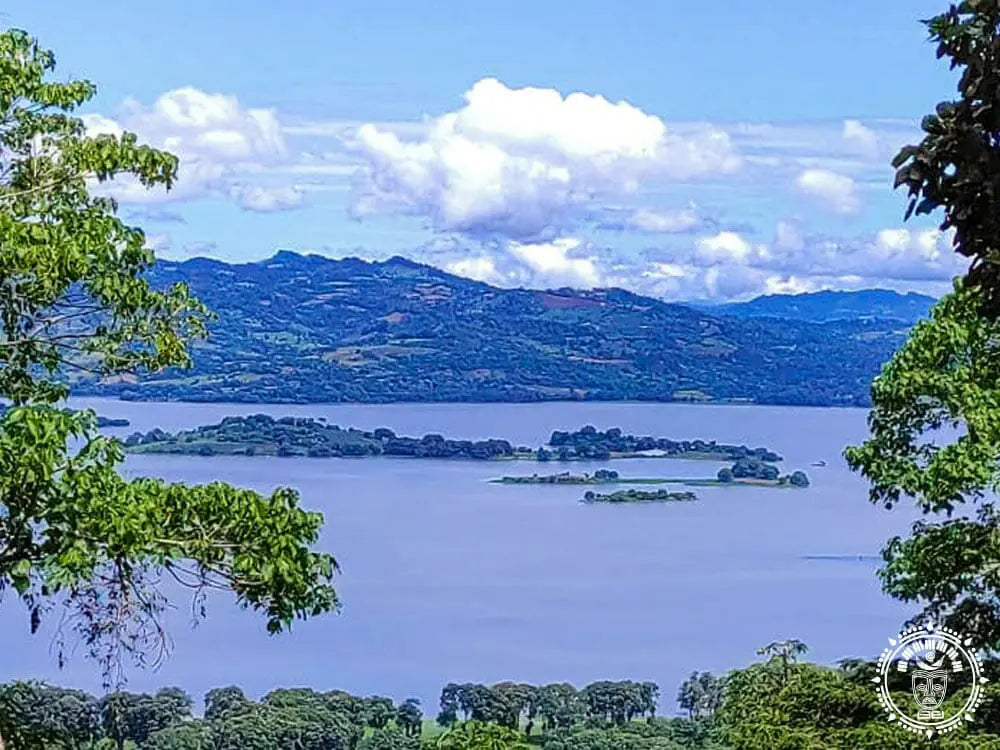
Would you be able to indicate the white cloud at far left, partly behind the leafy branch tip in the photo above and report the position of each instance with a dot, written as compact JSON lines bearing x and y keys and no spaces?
{"x":213,"y":135}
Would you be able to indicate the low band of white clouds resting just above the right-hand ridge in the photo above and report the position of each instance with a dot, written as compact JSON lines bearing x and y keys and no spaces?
{"x":722,"y":266}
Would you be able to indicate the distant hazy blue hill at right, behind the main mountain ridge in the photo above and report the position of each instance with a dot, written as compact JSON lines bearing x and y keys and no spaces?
{"x":818,"y":307}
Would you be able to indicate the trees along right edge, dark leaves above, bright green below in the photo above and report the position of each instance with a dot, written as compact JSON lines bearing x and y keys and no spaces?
{"x":935,"y":421}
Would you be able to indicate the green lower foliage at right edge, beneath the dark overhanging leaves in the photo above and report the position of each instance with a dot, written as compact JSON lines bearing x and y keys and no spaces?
{"x":935,"y":437}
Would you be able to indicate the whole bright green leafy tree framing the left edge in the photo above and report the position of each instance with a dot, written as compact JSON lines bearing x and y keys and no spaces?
{"x":73,"y":533}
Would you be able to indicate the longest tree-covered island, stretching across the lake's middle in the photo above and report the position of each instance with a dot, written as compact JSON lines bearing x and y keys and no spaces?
{"x":262,"y":435}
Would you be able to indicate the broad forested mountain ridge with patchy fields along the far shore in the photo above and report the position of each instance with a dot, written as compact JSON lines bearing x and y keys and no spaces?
{"x":306,"y":328}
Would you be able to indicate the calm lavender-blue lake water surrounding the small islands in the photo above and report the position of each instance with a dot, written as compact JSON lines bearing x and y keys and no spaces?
{"x":447,"y":578}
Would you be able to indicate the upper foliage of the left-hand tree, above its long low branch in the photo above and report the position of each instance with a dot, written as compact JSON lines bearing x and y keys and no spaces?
{"x":70,"y":270}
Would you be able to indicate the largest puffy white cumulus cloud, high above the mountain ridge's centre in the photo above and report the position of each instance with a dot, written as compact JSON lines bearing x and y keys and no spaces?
{"x":519,"y":161}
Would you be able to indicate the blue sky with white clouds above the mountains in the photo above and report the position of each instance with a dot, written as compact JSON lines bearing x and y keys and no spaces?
{"x":685,"y":150}
